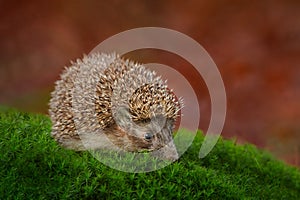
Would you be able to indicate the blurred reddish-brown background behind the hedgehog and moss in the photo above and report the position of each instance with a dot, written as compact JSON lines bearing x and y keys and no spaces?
{"x":255,"y":44}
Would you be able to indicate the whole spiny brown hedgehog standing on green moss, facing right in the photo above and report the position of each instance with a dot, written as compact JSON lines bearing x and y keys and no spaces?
{"x":103,"y":101}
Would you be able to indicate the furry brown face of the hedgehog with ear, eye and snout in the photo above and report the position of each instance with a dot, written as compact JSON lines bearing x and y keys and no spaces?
{"x":146,"y":135}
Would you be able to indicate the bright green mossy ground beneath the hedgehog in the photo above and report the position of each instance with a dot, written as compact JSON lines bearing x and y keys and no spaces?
{"x":33,"y":166}
